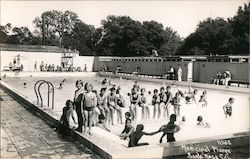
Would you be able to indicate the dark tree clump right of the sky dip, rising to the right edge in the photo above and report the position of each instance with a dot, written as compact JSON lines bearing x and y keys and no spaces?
{"x":218,"y":36}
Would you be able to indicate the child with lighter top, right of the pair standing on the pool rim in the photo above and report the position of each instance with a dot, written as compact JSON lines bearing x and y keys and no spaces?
{"x":89,"y":103}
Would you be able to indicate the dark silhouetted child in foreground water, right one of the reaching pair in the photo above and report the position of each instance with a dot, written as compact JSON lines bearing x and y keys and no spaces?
{"x":170,"y":129}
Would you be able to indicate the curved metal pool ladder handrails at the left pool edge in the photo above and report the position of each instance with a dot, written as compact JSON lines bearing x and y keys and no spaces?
{"x":50,"y":90}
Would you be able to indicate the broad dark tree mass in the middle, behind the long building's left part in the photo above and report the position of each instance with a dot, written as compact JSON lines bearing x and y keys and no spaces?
{"x":127,"y":37}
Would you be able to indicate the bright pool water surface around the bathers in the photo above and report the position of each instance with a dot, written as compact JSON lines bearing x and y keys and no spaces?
{"x":213,"y":113}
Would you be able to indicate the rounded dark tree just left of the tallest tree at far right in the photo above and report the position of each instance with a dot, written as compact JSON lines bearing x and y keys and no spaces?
{"x":210,"y":37}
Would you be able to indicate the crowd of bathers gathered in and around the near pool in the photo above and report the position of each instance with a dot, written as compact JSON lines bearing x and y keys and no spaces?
{"x":95,"y":108}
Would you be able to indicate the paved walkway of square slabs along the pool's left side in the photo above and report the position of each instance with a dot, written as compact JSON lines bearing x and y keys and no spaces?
{"x":24,"y":135}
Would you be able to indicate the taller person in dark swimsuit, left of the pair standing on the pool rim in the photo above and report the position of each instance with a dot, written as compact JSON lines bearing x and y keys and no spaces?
{"x":78,"y":104}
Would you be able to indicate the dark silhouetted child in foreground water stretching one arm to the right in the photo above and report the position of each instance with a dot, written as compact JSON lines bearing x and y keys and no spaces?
{"x":136,"y":136}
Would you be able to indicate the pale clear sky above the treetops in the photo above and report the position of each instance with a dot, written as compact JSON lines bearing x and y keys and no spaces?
{"x":181,"y":15}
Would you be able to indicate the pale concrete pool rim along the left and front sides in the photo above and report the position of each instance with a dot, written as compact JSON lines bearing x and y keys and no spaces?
{"x":239,"y":142}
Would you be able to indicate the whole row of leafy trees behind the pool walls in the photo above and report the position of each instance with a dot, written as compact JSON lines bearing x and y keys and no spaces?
{"x":123,"y":36}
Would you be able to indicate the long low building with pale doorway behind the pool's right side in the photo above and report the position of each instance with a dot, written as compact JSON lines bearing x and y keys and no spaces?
{"x":195,"y":68}
